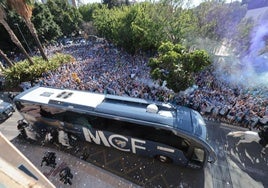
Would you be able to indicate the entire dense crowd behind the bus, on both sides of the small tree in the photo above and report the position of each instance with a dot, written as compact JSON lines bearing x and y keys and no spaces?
{"x":103,"y":68}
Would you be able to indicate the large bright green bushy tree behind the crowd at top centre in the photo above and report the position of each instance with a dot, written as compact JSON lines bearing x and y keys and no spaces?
{"x":135,"y":28}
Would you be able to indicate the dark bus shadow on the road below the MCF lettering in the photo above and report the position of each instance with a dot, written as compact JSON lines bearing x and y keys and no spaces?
{"x":145,"y":172}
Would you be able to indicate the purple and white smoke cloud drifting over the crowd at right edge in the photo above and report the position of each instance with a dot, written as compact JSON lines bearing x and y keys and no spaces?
{"x":250,"y":70}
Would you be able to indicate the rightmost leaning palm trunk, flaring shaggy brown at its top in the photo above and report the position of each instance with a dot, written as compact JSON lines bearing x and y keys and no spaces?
{"x":24,"y":8}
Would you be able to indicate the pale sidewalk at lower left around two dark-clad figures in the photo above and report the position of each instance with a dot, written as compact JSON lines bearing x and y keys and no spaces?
{"x":84,"y":174}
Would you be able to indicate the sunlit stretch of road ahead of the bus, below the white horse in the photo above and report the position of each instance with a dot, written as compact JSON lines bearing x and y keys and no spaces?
{"x":236,"y":167}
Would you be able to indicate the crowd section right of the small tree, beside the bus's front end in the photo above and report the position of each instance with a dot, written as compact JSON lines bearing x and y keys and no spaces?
{"x":228,"y":103}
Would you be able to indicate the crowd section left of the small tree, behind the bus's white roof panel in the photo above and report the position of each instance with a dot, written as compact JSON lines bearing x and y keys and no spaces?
{"x":102,"y":68}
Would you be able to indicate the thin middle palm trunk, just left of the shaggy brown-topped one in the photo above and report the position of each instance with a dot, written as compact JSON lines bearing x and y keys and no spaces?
{"x":12,"y":35}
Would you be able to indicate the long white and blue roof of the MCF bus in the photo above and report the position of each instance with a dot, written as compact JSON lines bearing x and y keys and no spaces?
{"x":118,"y":106}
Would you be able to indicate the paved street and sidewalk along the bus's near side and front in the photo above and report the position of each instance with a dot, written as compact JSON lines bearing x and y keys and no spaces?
{"x":236,"y":167}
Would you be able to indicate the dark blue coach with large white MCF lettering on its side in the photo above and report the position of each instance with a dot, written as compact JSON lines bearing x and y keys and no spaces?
{"x":169,"y":133}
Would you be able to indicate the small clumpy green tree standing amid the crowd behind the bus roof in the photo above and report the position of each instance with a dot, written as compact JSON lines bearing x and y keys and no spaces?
{"x":176,"y":65}
